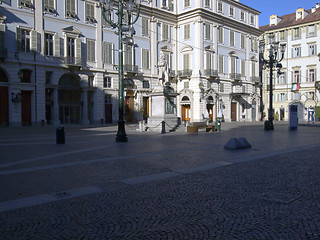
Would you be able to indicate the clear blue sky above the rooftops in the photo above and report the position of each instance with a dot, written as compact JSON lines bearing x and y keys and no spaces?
{"x":279,"y":7}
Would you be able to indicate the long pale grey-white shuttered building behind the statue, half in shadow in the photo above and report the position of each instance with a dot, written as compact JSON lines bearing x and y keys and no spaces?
{"x":59,"y":61}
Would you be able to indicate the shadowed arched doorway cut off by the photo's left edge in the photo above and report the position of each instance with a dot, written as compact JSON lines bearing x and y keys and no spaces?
{"x":4,"y":99}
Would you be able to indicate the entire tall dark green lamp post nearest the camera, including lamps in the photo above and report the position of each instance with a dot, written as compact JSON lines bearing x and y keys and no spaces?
{"x":123,"y":29}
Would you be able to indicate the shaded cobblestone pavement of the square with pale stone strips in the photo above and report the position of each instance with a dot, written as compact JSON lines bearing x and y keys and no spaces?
{"x":170,"y":186}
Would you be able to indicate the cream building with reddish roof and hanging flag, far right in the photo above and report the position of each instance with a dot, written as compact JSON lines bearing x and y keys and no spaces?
{"x":297,"y":83}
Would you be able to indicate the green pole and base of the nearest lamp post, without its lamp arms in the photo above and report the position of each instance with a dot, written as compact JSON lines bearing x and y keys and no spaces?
{"x":121,"y":134}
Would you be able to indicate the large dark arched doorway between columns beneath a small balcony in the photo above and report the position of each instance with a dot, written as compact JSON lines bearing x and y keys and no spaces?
{"x":69,"y":99}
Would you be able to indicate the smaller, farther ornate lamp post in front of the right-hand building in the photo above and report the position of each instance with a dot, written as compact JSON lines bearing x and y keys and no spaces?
{"x":273,"y":61}
